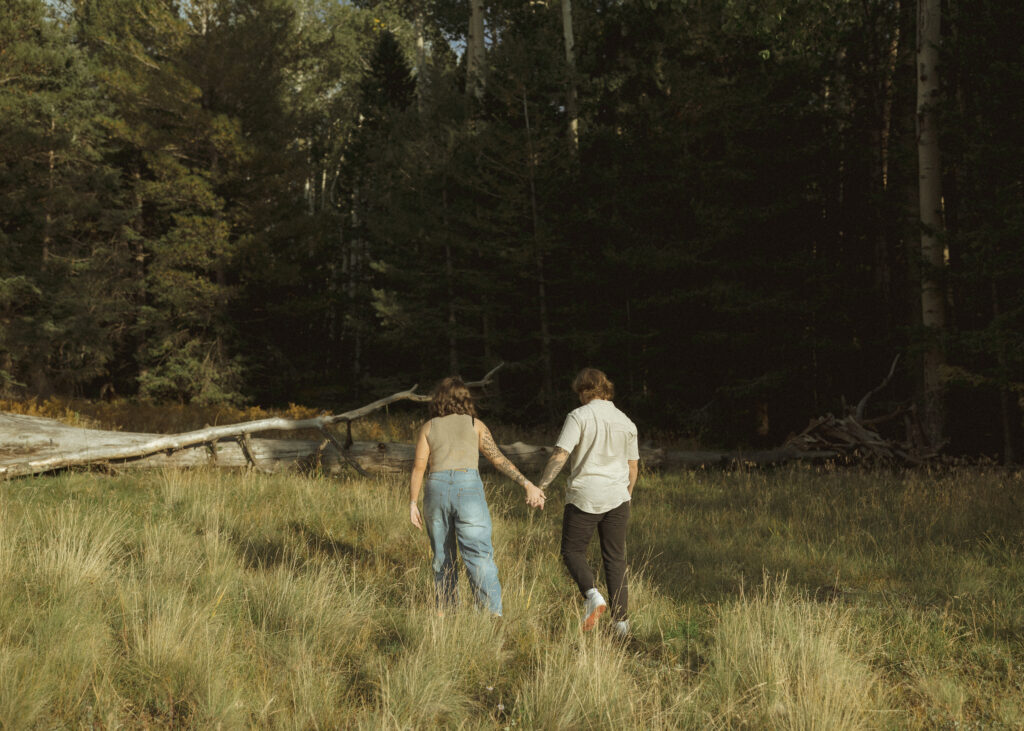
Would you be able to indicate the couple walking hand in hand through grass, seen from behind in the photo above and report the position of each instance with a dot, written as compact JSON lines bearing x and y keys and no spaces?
{"x":601,"y":441}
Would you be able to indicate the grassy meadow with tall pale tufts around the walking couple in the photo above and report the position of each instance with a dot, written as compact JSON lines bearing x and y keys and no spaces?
{"x":797,"y":598}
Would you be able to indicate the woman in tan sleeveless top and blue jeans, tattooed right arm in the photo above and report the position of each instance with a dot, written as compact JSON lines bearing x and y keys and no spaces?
{"x":455,"y":509}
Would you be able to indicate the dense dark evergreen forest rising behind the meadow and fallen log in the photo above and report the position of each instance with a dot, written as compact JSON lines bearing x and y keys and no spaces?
{"x":304,"y":200}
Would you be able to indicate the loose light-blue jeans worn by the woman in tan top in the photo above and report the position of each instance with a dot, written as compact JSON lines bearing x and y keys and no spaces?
{"x":456,"y":512}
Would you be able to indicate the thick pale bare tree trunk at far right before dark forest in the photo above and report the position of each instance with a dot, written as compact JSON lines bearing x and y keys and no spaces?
{"x":933,"y":308}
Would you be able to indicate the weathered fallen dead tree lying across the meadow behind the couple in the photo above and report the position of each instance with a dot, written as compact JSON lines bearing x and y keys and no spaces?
{"x":31,"y":446}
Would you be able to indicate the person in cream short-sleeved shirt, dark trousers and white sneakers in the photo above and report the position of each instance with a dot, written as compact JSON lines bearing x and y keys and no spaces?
{"x":603,"y":443}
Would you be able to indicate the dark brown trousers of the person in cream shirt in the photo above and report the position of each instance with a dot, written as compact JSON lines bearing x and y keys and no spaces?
{"x":578,"y":529}
